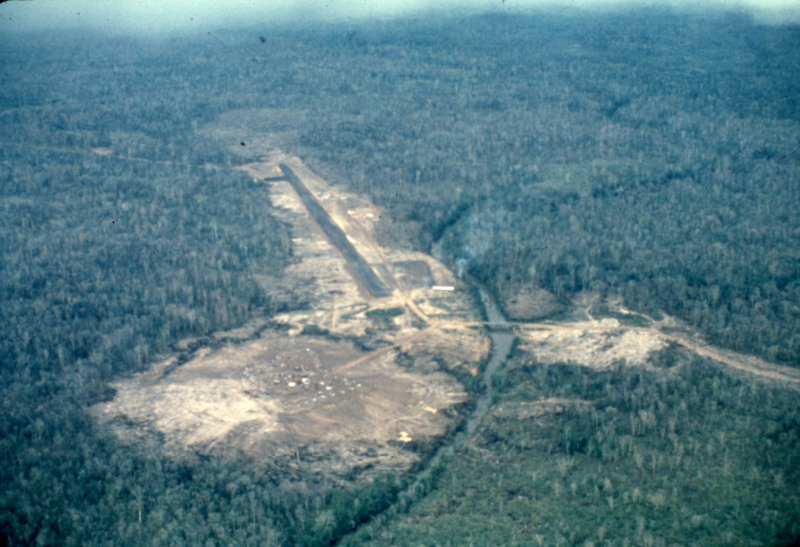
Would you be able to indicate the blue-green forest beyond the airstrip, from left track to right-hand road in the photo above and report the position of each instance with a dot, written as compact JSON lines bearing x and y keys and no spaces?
{"x":656,"y":163}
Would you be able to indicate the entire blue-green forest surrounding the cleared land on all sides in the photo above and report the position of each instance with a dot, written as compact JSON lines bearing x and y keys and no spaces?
{"x":649,"y":154}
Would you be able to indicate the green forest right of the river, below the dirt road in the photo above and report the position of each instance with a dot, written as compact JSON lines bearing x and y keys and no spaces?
{"x":627,"y":456}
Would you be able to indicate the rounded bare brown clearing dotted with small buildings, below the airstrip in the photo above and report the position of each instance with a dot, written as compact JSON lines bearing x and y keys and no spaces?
{"x":276,"y":393}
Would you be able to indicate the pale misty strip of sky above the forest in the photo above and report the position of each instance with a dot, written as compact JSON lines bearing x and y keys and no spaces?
{"x":205,"y":15}
